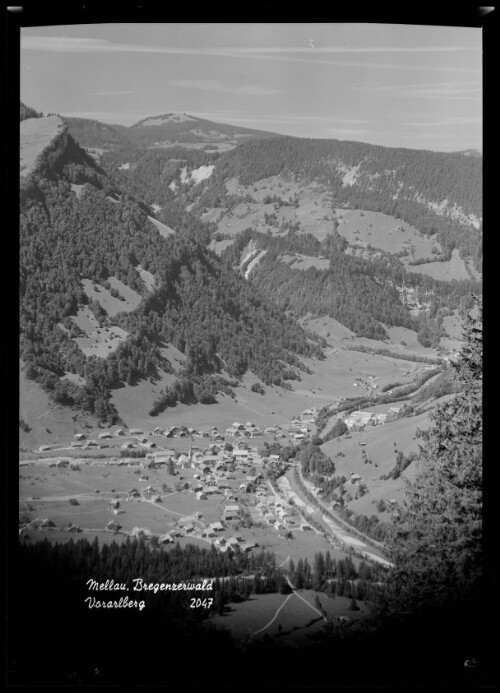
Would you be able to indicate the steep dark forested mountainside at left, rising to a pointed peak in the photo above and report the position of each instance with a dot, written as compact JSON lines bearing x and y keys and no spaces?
{"x":76,"y":225}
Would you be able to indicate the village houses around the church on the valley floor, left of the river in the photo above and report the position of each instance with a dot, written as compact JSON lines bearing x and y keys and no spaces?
{"x":220,"y":482}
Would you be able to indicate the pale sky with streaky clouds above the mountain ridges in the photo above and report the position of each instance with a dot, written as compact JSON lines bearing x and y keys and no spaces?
{"x":392,"y":85}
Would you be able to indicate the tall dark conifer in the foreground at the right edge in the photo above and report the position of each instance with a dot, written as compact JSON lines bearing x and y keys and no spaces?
{"x":436,"y":543}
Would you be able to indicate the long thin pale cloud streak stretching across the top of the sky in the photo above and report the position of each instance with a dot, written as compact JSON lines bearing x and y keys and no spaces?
{"x":70,"y":44}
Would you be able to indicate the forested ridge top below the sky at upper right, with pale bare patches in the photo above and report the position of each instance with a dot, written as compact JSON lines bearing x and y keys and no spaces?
{"x":438,"y":193}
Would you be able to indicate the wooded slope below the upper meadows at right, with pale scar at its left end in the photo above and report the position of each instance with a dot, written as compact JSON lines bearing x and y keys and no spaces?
{"x":364,"y":295}
